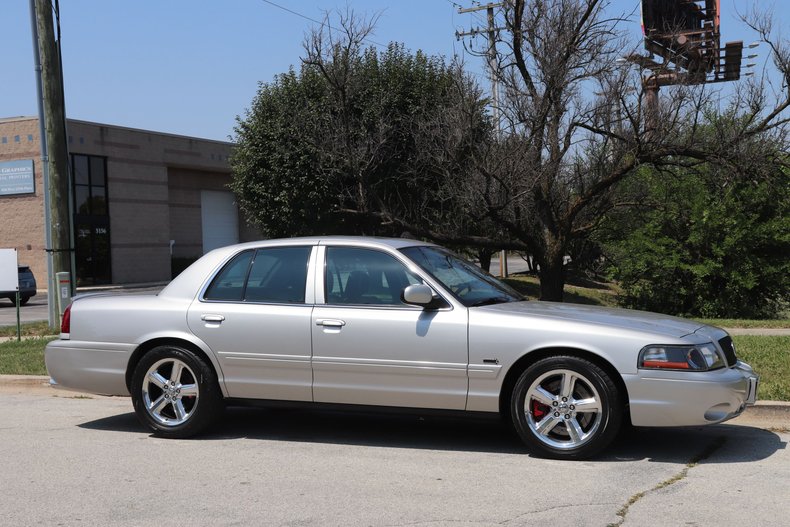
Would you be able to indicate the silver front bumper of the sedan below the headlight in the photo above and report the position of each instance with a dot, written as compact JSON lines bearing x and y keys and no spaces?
{"x":664,"y":398}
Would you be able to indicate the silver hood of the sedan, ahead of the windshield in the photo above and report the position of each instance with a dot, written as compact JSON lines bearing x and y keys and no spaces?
{"x":601,"y":316}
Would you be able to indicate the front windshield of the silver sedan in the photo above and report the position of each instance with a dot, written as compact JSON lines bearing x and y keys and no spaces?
{"x":470,"y":284}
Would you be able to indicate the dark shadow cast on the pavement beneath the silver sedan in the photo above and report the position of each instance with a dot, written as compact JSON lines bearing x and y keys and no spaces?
{"x":725,"y":443}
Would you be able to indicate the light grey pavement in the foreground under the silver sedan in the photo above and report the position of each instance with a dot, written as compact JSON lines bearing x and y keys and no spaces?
{"x":71,"y":459}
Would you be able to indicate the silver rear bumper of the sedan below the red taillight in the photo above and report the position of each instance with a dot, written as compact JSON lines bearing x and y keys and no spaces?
{"x":91,"y":367}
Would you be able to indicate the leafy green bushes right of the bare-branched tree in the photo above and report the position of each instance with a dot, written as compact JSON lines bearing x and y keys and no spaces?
{"x":713,"y":244}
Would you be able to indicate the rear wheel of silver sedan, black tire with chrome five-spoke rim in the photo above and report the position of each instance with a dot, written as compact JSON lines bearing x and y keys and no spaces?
{"x":175,"y":393}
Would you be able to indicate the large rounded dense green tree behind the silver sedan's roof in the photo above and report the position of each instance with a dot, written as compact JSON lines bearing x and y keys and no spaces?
{"x":344,"y":144}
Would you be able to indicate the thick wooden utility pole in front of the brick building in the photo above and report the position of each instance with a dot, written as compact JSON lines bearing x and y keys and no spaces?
{"x":54,"y":151}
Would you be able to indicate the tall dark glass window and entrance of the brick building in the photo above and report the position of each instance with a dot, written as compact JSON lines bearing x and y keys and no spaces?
{"x":91,"y":219}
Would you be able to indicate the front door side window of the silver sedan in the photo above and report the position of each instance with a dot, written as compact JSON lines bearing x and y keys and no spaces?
{"x":357,"y":276}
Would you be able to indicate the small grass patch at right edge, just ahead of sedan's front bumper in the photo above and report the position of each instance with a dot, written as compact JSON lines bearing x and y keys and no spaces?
{"x":770,"y":358}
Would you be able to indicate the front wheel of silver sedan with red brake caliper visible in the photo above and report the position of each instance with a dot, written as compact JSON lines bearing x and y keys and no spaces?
{"x":566,"y":407}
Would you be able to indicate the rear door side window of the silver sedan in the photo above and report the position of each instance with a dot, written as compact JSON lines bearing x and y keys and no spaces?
{"x":277,"y":275}
